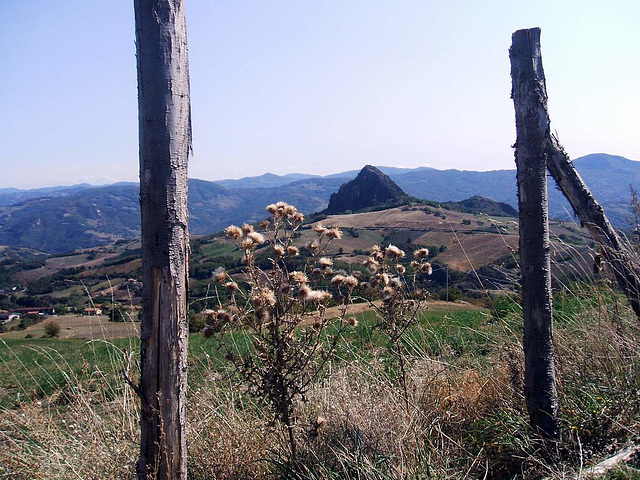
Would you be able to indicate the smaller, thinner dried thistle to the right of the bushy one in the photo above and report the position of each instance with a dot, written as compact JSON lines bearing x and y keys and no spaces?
{"x":401,"y":301}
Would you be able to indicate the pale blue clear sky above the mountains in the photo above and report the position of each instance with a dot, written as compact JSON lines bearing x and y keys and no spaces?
{"x":313,"y":86}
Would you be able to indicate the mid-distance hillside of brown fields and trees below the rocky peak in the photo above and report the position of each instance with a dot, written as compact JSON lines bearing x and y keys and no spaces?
{"x":464,"y":248}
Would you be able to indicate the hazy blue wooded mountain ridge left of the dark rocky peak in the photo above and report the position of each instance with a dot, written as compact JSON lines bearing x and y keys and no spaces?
{"x":101,"y":215}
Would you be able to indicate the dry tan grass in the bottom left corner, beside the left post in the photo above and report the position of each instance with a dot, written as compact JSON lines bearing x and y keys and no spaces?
{"x":81,"y":440}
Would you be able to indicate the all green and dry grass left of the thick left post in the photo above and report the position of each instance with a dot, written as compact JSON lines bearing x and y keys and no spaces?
{"x":67,"y":420}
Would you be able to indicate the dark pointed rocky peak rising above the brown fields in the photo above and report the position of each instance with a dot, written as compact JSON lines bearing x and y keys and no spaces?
{"x":369,"y":189}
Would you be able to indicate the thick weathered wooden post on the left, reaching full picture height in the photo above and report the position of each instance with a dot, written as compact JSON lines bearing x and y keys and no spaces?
{"x":165,"y":140}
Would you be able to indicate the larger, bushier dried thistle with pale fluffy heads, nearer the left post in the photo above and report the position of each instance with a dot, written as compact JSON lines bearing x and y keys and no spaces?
{"x":283,"y":348}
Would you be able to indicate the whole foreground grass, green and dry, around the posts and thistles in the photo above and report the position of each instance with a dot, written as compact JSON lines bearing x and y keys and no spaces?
{"x":67,"y":412}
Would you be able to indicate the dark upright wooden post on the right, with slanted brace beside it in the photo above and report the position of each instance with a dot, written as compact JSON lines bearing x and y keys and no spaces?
{"x":532,"y":126}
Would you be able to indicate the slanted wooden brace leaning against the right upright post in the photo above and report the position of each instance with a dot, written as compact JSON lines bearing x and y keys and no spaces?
{"x":591,"y":215}
